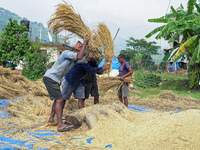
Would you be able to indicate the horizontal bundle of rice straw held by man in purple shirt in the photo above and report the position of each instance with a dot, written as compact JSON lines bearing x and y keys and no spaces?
{"x":107,"y":83}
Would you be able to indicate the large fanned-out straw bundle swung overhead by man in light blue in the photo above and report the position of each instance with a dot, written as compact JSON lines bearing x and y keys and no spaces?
{"x":65,"y":18}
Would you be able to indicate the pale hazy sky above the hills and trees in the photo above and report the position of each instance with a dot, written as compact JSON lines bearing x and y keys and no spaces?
{"x":129,"y":15}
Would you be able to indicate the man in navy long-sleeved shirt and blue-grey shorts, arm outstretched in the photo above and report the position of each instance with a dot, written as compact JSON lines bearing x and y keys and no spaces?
{"x":73,"y":81}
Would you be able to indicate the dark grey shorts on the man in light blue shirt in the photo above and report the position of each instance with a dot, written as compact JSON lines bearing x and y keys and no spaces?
{"x":53,"y":88}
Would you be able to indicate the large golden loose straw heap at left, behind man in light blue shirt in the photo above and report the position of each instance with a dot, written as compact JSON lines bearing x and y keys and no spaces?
{"x":36,"y":103}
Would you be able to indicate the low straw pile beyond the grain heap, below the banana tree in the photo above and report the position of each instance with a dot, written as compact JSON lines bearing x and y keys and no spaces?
{"x":167,"y":100}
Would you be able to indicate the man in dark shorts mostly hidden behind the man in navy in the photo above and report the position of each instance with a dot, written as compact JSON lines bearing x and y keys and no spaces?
{"x":90,"y":82}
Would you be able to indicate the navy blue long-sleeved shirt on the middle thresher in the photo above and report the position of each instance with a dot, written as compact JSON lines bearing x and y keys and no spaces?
{"x":76,"y":74}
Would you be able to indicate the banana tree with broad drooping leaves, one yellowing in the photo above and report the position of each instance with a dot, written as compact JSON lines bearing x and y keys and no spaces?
{"x":186,"y":23}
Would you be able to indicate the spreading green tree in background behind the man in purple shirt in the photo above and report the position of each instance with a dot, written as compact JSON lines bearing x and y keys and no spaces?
{"x":138,"y":52}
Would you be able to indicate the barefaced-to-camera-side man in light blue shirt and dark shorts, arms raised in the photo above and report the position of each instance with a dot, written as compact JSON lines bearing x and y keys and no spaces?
{"x":53,"y":76}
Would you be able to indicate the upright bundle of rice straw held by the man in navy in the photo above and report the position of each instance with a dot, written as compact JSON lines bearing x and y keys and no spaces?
{"x":105,"y":39}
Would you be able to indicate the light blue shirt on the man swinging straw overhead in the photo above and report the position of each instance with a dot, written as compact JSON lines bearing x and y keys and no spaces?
{"x":62,"y":65}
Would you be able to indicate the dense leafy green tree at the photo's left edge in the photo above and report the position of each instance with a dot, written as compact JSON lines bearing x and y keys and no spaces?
{"x":15,"y":43}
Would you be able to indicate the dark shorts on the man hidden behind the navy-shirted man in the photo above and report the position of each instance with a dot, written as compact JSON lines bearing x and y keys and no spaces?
{"x":91,"y":88}
